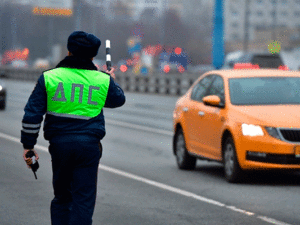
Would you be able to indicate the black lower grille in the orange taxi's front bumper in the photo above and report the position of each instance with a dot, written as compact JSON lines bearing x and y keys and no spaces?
{"x":276,"y":159}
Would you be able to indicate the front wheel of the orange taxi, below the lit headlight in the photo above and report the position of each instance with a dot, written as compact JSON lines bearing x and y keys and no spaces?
{"x":232,"y":169}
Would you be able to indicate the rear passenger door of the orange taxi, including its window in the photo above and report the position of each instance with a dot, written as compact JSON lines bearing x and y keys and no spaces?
{"x":193,"y":120}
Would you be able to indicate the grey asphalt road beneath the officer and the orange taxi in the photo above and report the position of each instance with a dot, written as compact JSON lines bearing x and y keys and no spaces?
{"x":139,"y":182}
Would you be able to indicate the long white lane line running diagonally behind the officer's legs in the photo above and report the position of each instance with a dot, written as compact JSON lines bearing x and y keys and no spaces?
{"x":163,"y":186}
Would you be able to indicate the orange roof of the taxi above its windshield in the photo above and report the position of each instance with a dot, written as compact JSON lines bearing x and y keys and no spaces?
{"x":240,"y":73}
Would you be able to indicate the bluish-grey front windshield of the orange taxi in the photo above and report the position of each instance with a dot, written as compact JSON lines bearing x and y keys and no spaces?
{"x":264,"y":90}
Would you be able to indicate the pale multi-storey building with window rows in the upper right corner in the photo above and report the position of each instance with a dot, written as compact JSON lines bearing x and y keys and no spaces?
{"x":263,"y":17}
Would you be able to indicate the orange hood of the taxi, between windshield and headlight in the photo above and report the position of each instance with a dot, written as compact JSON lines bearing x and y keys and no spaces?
{"x":268,"y":115}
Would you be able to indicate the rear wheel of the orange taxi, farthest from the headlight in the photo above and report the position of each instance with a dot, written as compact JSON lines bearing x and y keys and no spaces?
{"x":184,"y":159}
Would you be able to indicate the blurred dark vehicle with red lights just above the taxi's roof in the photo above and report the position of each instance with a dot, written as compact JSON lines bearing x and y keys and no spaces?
{"x":263,"y":59}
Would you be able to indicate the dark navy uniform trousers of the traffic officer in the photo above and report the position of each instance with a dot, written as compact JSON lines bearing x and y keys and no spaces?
{"x":75,"y":161}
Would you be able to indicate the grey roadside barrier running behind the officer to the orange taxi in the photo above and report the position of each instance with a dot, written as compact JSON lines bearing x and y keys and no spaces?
{"x":164,"y":84}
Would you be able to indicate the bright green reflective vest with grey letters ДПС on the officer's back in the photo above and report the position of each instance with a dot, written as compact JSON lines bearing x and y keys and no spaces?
{"x":76,"y":93}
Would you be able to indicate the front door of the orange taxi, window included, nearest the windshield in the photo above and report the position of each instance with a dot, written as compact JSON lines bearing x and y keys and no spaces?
{"x":212,"y":120}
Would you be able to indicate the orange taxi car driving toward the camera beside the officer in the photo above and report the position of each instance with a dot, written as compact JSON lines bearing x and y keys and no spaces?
{"x":245,"y":118}
